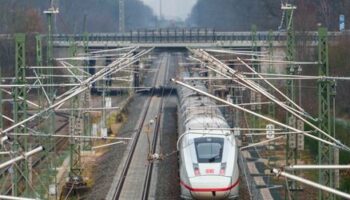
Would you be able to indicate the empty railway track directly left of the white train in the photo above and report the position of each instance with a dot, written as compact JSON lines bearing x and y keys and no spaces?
{"x":135,"y":178}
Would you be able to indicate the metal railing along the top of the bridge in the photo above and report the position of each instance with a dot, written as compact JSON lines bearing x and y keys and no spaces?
{"x":190,"y":36}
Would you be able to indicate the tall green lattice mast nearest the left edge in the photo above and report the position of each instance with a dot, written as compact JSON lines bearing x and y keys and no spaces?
{"x":20,"y":114}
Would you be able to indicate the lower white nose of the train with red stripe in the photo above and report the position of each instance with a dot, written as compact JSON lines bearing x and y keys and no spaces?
{"x":210,"y":187}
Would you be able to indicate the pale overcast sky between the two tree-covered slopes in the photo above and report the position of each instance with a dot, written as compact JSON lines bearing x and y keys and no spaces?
{"x":172,"y":9}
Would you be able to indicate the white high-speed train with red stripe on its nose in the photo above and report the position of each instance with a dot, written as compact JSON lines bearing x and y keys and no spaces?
{"x":207,"y":150}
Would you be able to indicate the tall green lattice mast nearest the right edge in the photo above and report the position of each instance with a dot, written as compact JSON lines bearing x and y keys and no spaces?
{"x":325,"y":152}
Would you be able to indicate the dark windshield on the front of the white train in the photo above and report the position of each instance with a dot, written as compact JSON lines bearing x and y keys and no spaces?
{"x":209,"y":149}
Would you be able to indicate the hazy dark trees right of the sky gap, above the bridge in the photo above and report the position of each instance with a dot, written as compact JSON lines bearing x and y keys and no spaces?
{"x":236,"y":15}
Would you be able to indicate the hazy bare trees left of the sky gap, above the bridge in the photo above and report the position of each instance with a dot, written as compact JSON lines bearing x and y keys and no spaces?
{"x":99,"y":15}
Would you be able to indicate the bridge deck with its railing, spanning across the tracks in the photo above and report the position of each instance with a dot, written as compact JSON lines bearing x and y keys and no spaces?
{"x":186,"y":38}
